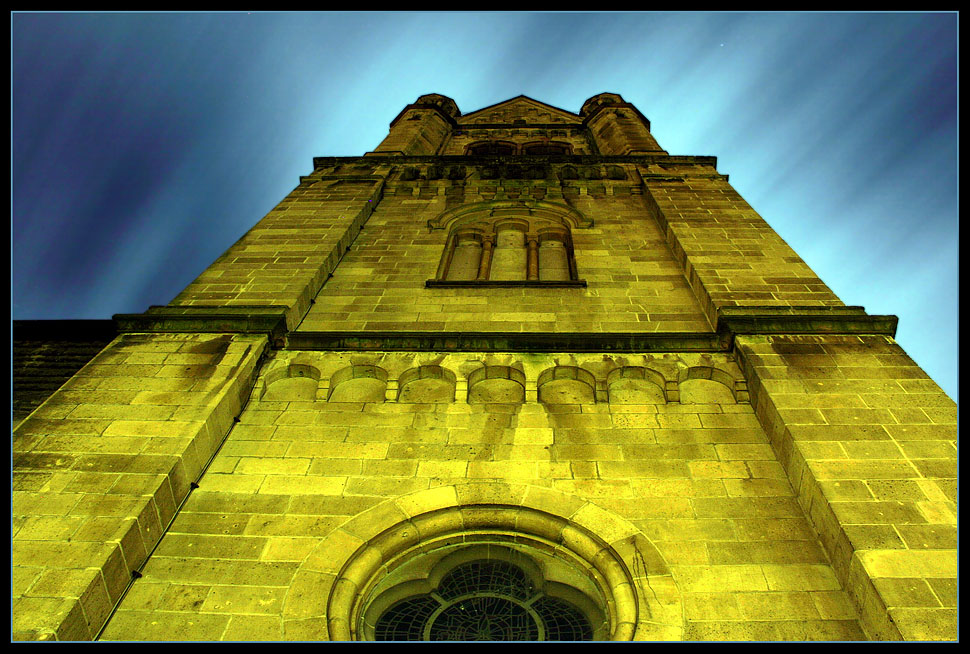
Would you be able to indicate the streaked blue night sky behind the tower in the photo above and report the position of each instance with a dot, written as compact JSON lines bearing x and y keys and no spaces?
{"x":145,"y":145}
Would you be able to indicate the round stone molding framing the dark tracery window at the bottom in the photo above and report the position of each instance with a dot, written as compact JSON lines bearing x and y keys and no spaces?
{"x":331,"y":589}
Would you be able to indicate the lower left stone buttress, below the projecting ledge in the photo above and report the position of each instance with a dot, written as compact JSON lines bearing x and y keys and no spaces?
{"x":100,"y":468}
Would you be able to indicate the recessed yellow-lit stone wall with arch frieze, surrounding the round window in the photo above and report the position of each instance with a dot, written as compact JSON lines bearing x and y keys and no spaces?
{"x":695,"y":474}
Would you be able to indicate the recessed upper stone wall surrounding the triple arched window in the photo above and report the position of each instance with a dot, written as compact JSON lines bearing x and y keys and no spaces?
{"x":634,"y":282}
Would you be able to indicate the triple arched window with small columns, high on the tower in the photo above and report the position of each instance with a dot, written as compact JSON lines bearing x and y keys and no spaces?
{"x":508,"y":249}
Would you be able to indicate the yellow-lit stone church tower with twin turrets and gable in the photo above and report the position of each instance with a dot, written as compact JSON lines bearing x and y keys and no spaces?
{"x":516,"y":374}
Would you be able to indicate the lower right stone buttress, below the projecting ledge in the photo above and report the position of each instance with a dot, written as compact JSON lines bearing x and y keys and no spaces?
{"x":870,"y":444}
